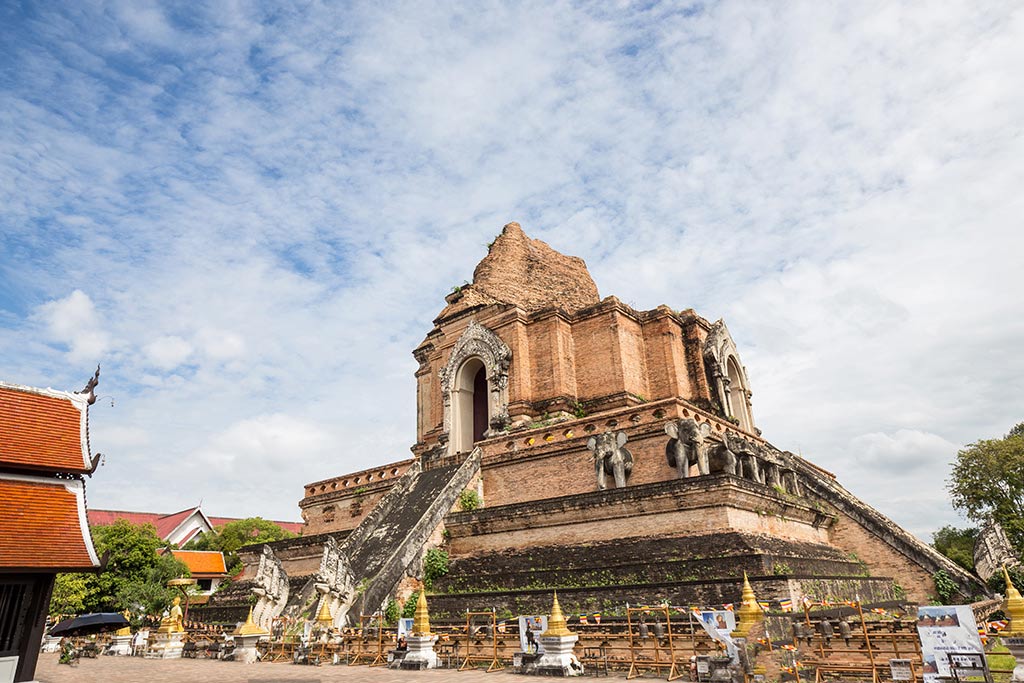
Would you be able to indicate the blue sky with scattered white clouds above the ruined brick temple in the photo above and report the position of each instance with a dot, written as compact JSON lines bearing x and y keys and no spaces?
{"x":250,"y":214}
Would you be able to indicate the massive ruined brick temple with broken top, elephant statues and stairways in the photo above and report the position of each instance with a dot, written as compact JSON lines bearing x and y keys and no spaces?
{"x":571,"y":442}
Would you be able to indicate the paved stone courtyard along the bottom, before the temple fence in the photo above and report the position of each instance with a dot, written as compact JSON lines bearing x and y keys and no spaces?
{"x":138,"y":670}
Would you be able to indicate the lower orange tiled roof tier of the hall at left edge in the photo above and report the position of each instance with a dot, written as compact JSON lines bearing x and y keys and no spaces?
{"x":44,"y":525}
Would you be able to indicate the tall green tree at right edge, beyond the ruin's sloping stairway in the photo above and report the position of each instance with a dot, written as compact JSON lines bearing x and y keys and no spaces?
{"x":989,"y":480}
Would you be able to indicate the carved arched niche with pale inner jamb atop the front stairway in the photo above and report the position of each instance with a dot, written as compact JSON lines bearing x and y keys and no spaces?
{"x":479,"y":350}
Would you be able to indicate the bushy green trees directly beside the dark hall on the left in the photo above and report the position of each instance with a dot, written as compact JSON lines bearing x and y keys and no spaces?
{"x":134,"y":579}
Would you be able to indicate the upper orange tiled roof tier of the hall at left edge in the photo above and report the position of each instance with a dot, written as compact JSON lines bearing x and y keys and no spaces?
{"x":42,"y":430}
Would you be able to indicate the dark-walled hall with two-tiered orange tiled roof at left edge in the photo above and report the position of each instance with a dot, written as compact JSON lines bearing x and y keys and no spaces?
{"x":45,"y":458}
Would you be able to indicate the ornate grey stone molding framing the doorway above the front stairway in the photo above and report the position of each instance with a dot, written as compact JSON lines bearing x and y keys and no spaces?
{"x":480,"y":343}
